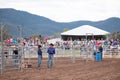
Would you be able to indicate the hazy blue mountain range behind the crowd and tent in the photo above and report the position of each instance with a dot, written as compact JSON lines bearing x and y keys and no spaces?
{"x":34,"y":24}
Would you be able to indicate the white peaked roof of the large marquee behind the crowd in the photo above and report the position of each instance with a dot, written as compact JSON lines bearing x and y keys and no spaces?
{"x":85,"y":30}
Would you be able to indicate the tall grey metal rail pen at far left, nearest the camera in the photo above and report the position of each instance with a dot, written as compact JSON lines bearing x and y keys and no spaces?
{"x":10,"y":61}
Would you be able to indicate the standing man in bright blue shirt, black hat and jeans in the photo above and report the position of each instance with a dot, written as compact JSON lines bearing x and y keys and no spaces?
{"x":51,"y":52}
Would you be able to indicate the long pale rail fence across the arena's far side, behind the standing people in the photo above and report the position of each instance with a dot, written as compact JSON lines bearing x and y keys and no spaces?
{"x":82,"y":53}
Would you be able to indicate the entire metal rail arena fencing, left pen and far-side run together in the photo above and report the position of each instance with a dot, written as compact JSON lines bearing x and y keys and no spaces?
{"x":25,"y":55}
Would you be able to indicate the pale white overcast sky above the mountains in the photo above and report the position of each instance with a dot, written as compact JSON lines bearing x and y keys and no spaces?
{"x":67,"y":10}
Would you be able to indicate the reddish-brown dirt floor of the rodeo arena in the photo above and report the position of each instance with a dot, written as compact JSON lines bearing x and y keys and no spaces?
{"x":107,"y":69}
